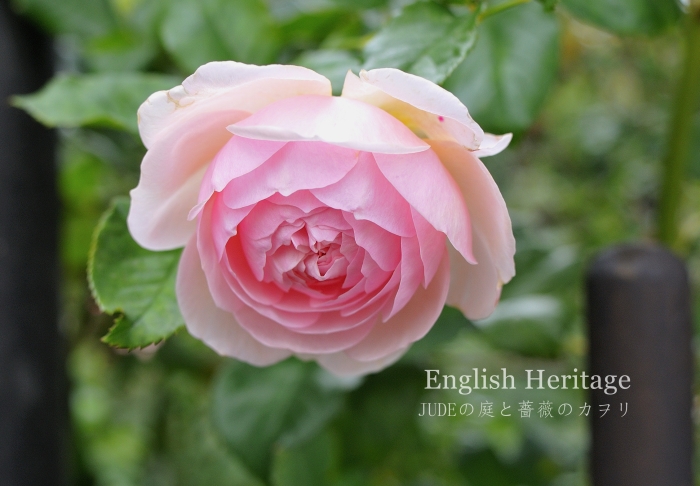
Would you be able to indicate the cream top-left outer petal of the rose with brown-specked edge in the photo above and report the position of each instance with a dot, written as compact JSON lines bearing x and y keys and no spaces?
{"x":224,"y":86}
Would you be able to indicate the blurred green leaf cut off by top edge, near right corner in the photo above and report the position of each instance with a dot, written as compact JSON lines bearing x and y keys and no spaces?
{"x":626,"y":17}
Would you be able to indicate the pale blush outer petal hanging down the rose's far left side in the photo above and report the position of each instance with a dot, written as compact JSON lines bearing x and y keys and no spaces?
{"x":171,"y":174}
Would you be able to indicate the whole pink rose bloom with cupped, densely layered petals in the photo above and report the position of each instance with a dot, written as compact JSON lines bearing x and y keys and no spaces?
{"x":329,"y":228}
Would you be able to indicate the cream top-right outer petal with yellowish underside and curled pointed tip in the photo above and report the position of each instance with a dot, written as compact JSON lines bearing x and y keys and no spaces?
{"x":429,"y":110}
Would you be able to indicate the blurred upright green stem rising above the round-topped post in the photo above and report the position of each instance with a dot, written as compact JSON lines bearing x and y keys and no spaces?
{"x":680,"y":135}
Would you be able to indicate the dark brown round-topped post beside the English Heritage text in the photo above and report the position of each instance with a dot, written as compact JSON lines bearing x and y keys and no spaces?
{"x":640,"y":325}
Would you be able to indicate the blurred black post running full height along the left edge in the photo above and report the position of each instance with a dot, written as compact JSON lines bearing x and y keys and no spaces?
{"x":32,"y":402}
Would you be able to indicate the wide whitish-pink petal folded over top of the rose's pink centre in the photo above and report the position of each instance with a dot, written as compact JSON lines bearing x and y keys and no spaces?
{"x":339,"y":121}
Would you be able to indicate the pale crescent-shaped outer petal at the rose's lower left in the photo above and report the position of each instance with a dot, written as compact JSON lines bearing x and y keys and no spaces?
{"x":217,"y":328}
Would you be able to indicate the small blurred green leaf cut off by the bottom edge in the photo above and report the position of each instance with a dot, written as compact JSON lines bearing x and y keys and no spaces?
{"x":311,"y":463}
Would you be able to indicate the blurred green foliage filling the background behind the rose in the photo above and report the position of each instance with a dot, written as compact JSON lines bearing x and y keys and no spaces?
{"x":589,"y":110}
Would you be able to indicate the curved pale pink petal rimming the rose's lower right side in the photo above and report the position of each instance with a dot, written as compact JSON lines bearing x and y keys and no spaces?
{"x":408,"y":325}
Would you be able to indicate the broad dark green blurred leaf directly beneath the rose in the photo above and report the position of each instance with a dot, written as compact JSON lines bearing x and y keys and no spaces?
{"x":257,"y":409}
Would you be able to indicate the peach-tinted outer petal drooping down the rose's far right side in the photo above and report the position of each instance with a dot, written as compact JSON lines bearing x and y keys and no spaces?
{"x":475,"y":290}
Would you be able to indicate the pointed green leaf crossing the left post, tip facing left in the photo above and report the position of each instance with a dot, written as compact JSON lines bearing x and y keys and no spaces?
{"x":109,"y":100}
